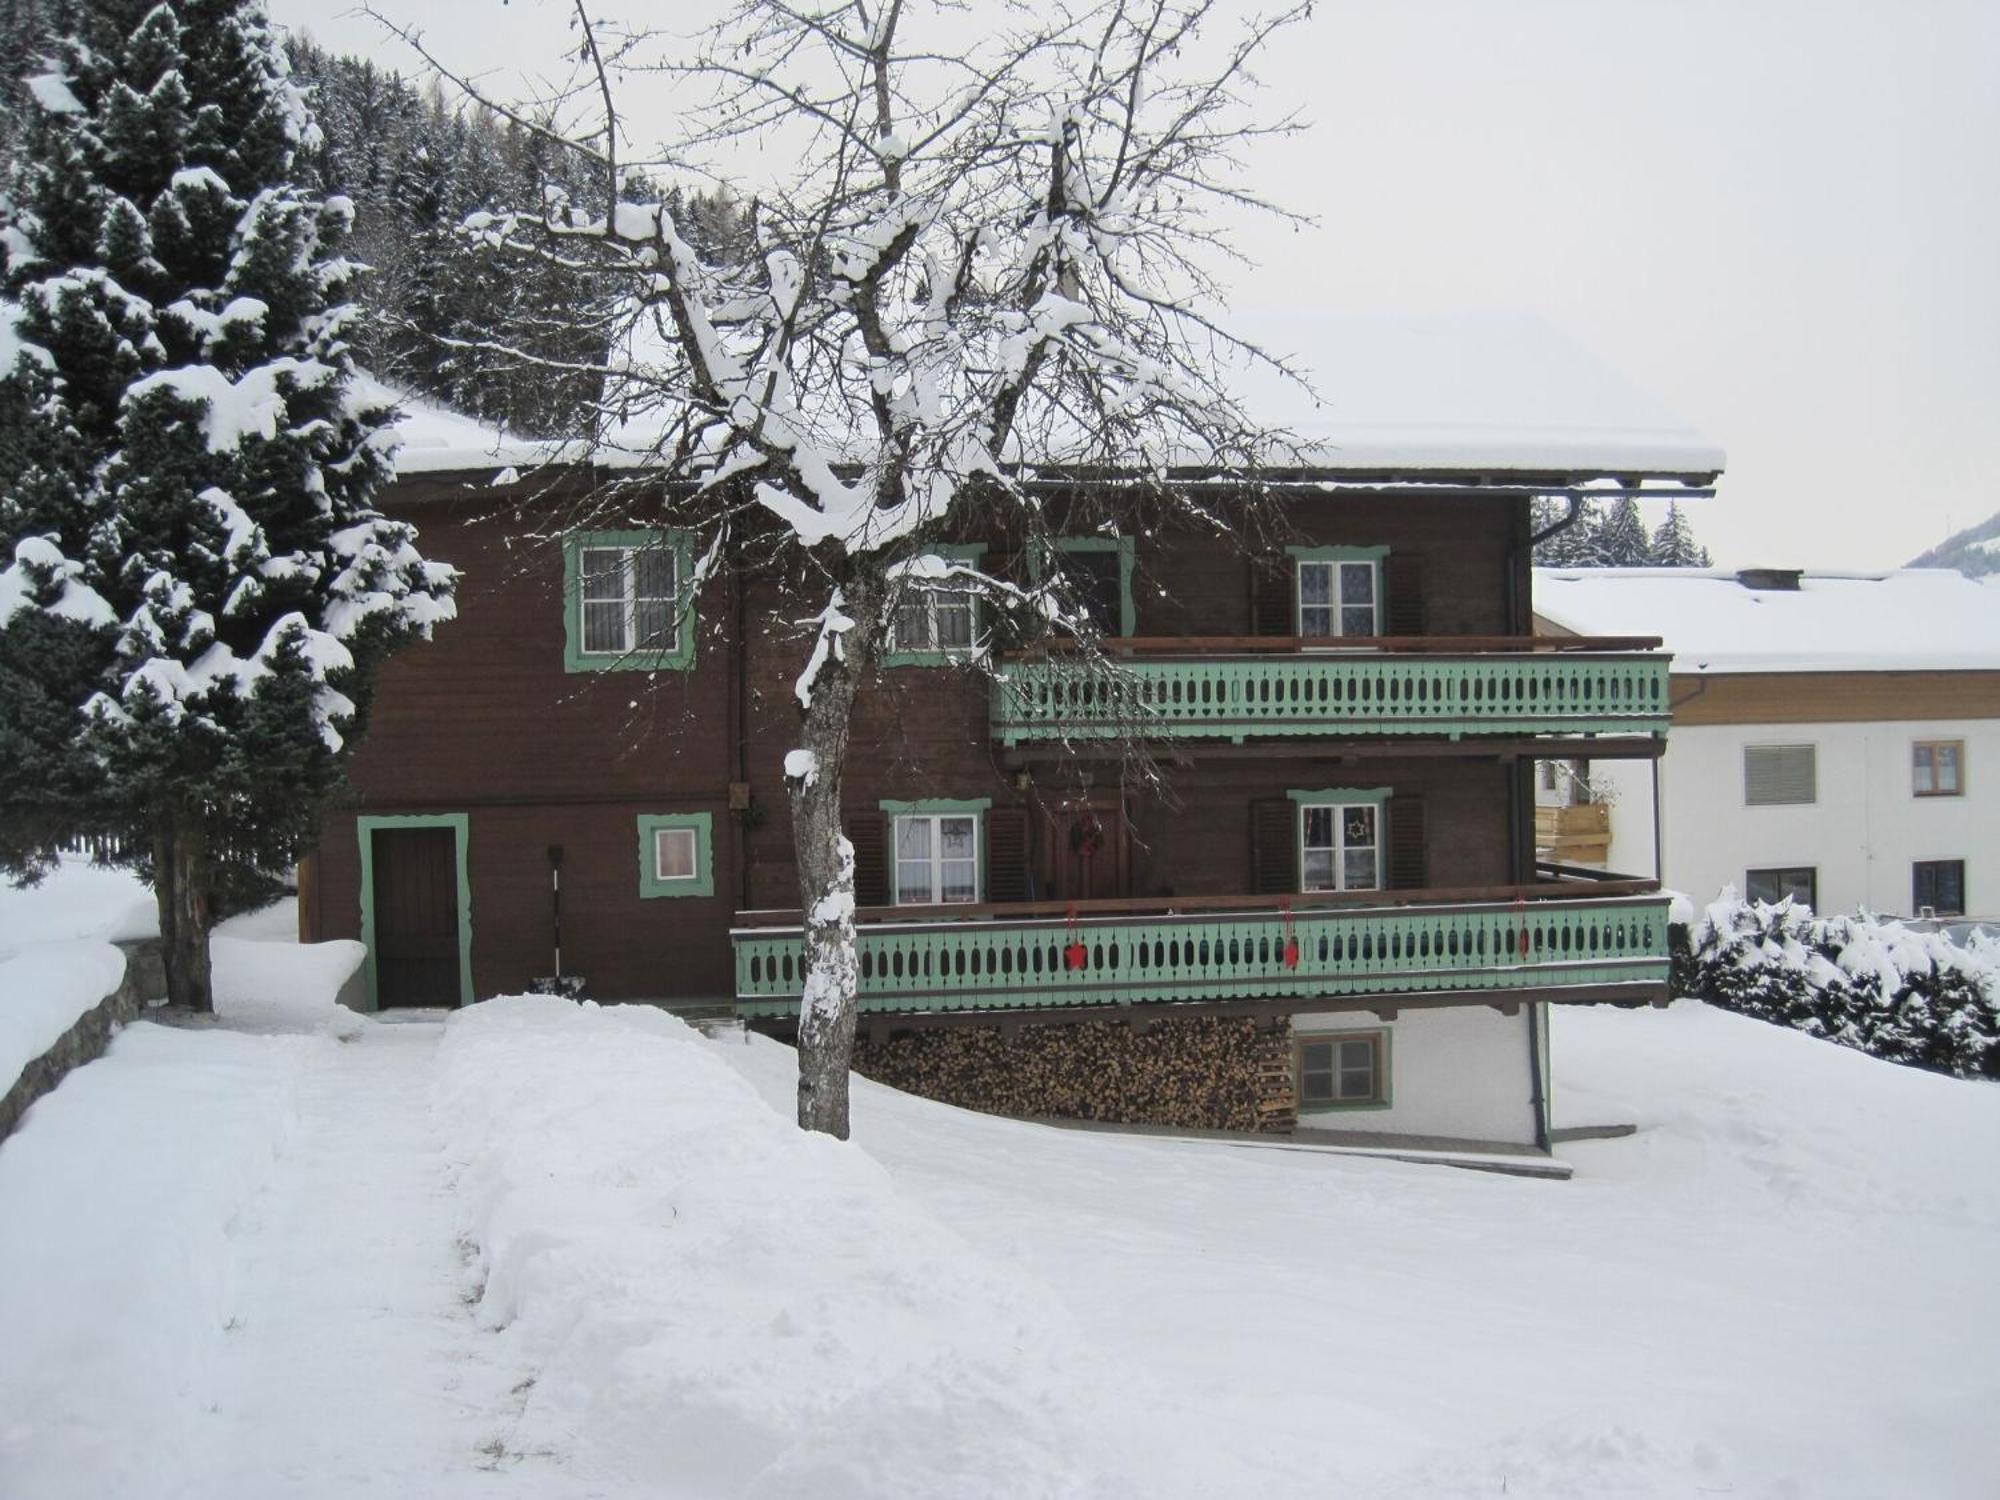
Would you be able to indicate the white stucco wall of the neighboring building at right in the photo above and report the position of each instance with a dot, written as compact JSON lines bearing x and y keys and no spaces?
{"x":1863,"y":833}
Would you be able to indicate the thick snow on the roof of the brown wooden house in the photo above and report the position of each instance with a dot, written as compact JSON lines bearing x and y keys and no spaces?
{"x":1399,"y":395}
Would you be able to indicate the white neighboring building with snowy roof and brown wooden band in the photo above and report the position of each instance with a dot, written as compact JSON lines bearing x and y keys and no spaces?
{"x":1837,"y":737}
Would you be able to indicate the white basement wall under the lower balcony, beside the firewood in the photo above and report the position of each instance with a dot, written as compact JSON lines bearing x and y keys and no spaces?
{"x":1459,"y":1073}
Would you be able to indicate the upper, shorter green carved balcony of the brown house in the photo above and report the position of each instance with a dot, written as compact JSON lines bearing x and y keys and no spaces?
{"x":1259,"y":687}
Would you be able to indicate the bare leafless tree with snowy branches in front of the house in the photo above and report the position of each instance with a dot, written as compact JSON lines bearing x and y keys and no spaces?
{"x":979,"y":267}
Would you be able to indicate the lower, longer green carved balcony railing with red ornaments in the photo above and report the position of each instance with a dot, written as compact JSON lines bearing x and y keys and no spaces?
{"x":1263,"y":953}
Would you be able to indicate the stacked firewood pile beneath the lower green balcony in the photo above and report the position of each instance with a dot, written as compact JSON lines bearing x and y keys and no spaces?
{"x":1195,"y":1075}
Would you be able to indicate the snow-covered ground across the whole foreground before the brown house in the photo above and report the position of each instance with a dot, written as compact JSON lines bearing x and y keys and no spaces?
{"x":559,"y":1251}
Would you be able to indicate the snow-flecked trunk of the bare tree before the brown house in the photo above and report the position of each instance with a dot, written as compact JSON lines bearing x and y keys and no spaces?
{"x":827,"y":879}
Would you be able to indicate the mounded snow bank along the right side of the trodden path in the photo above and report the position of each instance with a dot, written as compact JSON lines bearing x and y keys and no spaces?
{"x":719,"y":1303}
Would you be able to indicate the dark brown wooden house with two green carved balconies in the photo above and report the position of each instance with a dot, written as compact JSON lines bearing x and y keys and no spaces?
{"x":1329,"y":917}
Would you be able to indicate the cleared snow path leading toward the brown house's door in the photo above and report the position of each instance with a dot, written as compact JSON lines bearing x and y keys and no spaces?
{"x":353,"y":1361}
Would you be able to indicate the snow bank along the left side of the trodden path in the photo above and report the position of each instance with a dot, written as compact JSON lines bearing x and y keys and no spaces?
{"x":119,"y":1203}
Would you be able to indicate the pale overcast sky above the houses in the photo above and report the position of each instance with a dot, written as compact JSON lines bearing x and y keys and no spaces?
{"x":1781,"y":217}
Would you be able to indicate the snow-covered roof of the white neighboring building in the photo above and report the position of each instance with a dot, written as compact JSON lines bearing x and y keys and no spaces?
{"x":1905,"y":621}
